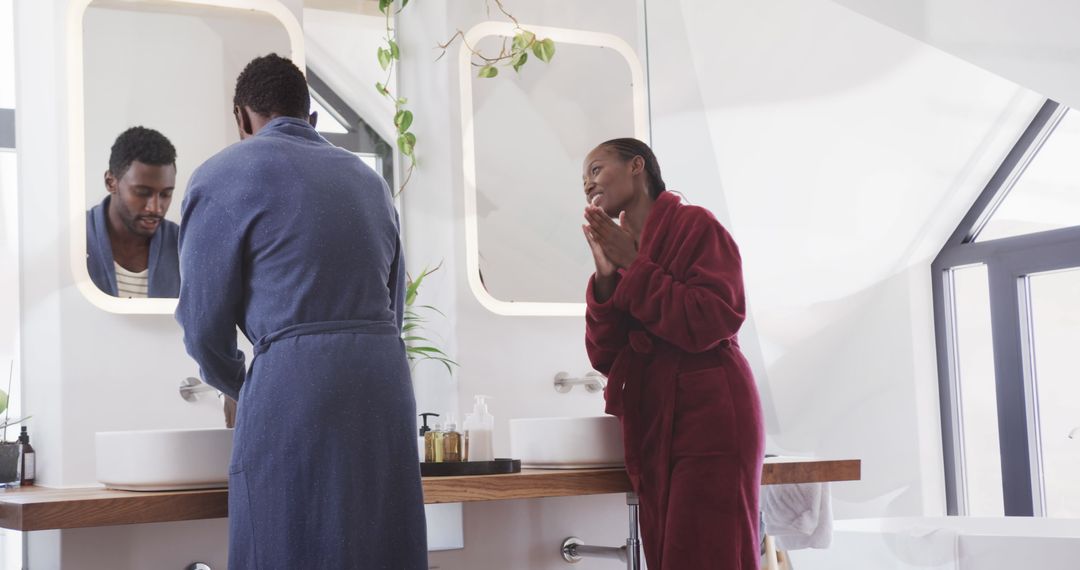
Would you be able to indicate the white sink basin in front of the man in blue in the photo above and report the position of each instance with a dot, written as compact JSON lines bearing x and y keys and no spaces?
{"x":161,"y":460}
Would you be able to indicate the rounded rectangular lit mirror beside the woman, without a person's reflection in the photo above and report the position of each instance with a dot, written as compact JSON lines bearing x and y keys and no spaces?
{"x":526,"y":252}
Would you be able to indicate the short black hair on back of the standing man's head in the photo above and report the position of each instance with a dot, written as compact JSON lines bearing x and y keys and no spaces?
{"x":274,"y":86}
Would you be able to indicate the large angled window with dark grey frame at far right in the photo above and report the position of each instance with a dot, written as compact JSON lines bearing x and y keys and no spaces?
{"x":1007,"y":311}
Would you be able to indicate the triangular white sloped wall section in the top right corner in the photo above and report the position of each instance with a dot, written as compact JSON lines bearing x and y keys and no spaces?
{"x":1032,"y":43}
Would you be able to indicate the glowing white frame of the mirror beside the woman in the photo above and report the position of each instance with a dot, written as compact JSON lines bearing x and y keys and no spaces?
{"x":561,"y":36}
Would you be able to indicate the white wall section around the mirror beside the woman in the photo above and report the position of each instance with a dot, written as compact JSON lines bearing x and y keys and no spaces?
{"x":512,"y":359}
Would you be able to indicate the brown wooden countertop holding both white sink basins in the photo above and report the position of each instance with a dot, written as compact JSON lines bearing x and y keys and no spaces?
{"x":46,"y":509}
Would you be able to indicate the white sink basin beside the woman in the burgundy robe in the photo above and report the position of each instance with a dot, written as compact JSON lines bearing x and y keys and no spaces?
{"x":568,"y":443}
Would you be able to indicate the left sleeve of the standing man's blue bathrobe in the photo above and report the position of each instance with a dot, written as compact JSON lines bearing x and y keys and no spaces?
{"x":211,"y":303}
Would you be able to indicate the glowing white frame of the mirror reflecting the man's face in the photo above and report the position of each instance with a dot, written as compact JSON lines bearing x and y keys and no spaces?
{"x":77,"y":152}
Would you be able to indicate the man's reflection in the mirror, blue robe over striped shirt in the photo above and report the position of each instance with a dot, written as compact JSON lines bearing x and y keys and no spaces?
{"x":131,"y":248}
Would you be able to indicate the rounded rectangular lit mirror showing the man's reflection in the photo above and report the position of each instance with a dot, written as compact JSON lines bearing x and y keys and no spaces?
{"x":168,"y":69}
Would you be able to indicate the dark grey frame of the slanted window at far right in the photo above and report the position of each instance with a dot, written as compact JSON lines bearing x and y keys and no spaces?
{"x":1009,"y":263}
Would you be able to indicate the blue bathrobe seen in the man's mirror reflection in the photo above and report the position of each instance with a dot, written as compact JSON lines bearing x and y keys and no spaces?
{"x":165,"y":277}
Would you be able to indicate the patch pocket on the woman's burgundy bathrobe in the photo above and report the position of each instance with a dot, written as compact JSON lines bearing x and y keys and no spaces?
{"x":705,"y":423}
